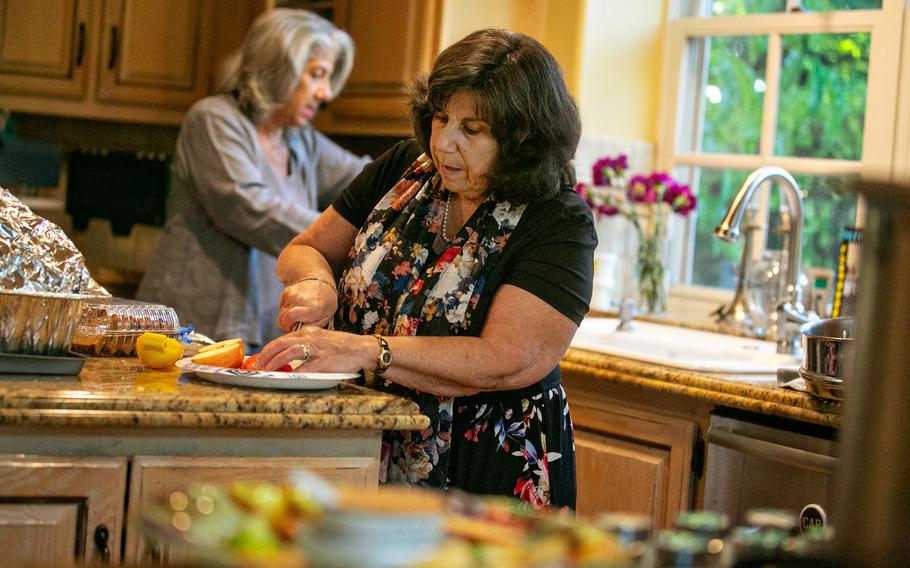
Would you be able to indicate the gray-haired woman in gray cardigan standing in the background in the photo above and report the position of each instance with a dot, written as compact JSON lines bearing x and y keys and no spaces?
{"x":250,"y":172}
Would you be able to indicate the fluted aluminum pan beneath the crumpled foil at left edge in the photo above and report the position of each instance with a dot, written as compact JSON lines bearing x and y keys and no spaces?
{"x":39,"y":323}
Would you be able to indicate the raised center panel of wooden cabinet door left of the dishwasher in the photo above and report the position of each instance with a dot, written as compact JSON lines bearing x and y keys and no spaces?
{"x":618,"y":476}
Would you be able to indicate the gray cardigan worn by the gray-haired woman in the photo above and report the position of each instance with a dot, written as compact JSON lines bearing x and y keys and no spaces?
{"x":229,"y":215}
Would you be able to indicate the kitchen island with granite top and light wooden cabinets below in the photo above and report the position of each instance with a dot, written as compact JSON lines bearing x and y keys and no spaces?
{"x":104,"y":446}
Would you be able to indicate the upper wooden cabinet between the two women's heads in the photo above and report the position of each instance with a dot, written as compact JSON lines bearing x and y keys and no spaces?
{"x":394,"y":40}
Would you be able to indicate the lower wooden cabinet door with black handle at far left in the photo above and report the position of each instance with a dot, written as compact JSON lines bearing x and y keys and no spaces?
{"x":61,"y":511}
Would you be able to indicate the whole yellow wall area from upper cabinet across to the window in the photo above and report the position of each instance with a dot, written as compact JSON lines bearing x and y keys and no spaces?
{"x":610,"y":51}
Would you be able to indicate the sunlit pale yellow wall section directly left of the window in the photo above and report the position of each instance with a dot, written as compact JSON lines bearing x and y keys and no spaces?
{"x":620,"y":68}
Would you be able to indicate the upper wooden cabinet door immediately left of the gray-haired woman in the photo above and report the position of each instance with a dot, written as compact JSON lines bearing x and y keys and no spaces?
{"x":155,"y":52}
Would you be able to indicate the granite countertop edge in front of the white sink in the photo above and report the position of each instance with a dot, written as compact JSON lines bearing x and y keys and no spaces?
{"x":758,"y":393}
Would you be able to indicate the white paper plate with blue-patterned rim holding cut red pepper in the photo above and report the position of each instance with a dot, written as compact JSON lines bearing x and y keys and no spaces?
{"x":264,"y":379}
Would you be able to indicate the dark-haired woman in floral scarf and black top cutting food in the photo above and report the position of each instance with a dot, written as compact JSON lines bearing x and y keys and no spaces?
{"x":463,"y":263}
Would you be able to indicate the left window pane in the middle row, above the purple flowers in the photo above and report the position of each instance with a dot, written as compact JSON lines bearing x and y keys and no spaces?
{"x":733,"y":94}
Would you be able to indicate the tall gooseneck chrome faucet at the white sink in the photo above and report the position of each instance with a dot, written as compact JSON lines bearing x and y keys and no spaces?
{"x":790,"y":309}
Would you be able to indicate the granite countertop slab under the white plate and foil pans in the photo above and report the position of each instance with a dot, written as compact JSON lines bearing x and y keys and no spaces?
{"x":123,"y":392}
